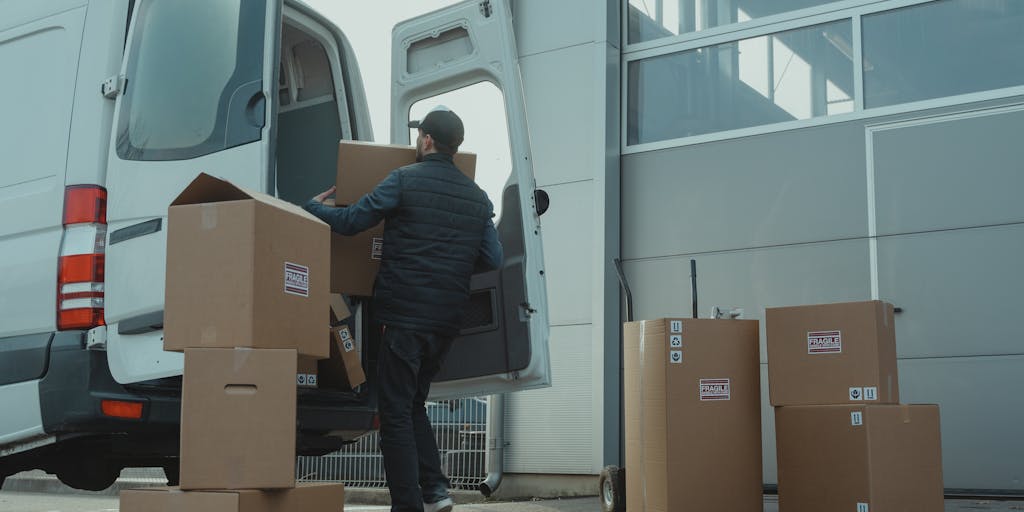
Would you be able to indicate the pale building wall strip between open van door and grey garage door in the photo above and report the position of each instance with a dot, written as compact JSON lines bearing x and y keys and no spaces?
{"x":570,"y":67}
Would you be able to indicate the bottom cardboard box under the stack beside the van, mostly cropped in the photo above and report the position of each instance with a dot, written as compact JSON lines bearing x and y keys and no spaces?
{"x":305,"y":498}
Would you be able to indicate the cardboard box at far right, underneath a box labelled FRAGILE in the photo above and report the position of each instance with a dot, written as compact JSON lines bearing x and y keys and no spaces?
{"x":860,"y":458}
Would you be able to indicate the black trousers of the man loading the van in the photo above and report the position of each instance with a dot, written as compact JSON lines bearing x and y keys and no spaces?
{"x":408,"y":362}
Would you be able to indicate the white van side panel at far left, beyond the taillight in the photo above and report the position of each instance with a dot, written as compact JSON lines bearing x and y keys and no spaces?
{"x":39,"y":60}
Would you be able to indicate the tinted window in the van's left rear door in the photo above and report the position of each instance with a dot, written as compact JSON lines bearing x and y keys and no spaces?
{"x":194,"y":79}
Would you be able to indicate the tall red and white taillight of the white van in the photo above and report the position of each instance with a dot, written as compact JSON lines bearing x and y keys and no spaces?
{"x":81,"y":264}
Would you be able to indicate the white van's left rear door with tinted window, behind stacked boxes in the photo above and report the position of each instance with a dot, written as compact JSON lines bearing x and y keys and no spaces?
{"x":194,"y":96}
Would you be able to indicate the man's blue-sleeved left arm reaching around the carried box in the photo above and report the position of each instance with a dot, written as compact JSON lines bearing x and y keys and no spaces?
{"x":366,"y":214}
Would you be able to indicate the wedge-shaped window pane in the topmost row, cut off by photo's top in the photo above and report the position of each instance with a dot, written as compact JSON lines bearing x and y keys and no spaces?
{"x":657,"y":19}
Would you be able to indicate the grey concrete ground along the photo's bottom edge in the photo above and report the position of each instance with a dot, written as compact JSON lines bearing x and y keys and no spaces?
{"x":33,"y":502}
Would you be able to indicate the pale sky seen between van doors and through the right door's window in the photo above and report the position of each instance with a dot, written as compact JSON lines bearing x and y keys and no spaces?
{"x":368,"y":26}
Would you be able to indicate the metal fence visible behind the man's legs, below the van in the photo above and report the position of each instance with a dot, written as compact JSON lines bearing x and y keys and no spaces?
{"x":460,"y":428}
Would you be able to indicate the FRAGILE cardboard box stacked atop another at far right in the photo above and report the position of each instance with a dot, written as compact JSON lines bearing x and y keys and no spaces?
{"x":832,"y":354}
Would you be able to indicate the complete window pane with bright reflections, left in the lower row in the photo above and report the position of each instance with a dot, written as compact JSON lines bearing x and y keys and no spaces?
{"x":788,"y":76}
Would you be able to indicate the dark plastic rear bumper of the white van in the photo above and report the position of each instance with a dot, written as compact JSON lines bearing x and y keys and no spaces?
{"x":78,"y":380}
